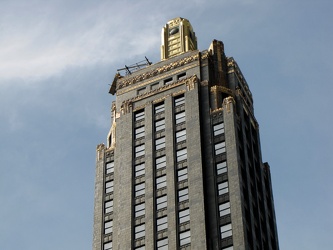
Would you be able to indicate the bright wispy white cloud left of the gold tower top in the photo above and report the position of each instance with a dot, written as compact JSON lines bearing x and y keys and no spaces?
{"x":42,"y":45}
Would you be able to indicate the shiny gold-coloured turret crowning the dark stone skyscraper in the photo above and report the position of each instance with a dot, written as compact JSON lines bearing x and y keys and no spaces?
{"x":177,"y":38}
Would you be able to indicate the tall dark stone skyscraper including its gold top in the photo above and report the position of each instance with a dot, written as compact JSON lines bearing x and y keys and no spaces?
{"x":182,"y":167}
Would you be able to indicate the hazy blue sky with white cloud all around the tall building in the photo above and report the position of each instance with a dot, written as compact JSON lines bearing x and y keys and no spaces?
{"x":58,"y":57}
